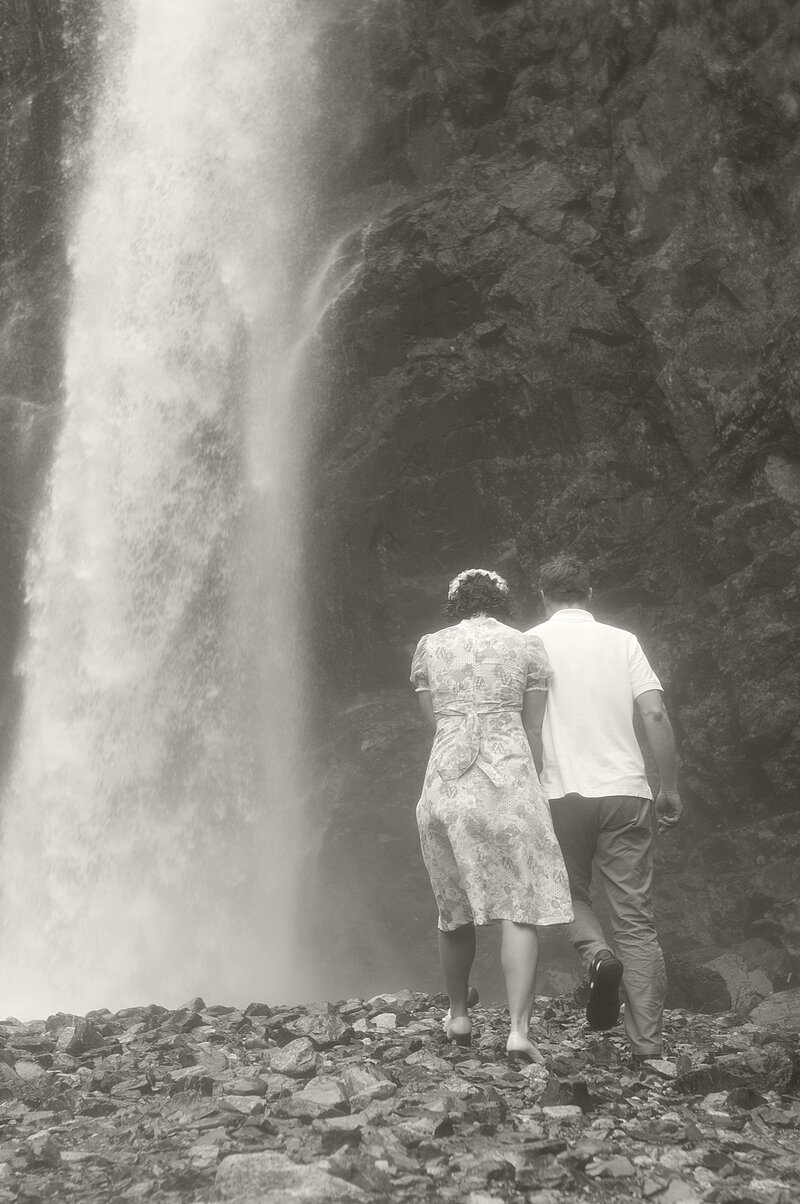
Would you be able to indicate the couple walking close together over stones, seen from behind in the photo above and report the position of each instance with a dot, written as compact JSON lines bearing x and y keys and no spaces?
{"x":526,"y":721}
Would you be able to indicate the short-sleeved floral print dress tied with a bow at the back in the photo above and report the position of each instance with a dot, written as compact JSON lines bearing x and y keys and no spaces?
{"x":485,"y":824}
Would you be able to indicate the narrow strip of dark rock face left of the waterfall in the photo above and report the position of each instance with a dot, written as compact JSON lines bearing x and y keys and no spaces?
{"x":48,"y":63}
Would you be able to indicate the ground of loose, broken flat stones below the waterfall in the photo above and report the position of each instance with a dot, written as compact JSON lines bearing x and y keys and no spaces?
{"x":364,"y":1101}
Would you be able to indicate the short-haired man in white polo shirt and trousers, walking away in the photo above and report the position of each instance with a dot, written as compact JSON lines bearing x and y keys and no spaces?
{"x":601,"y":801}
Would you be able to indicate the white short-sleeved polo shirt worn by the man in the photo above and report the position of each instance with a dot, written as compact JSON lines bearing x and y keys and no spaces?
{"x":591,"y":747}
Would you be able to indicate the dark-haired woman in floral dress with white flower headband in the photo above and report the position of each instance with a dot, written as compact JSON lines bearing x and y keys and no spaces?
{"x":485,"y":823}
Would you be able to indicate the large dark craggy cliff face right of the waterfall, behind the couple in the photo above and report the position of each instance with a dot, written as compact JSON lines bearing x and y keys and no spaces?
{"x":573,"y":327}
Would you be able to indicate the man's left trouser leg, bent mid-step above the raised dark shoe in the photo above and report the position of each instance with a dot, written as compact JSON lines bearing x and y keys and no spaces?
{"x":575,"y":821}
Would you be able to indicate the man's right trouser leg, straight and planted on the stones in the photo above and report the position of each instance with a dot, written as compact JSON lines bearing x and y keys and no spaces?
{"x":625,"y":859}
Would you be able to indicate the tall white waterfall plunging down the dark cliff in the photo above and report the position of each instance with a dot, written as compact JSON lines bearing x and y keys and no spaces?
{"x":154,"y":823}
